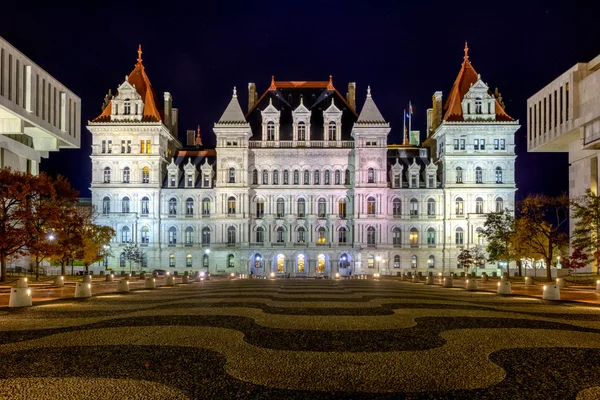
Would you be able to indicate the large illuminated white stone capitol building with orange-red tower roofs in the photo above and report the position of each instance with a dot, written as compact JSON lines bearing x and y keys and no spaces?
{"x":303,"y":183}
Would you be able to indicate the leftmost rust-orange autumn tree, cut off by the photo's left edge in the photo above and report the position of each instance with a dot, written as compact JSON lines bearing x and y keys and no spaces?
{"x":14,"y":197}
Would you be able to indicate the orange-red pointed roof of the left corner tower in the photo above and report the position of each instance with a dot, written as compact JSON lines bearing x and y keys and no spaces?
{"x":140,"y":80}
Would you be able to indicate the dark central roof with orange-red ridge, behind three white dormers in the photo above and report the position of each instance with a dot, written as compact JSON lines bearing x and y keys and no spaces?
{"x":316,"y":96}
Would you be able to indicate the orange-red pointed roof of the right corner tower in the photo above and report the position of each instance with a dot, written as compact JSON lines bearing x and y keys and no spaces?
{"x":466,"y":77}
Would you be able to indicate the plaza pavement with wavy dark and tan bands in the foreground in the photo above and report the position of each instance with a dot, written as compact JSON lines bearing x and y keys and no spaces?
{"x":301,"y":339}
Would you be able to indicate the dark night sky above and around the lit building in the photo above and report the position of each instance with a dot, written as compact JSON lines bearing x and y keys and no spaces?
{"x":405,"y":50}
